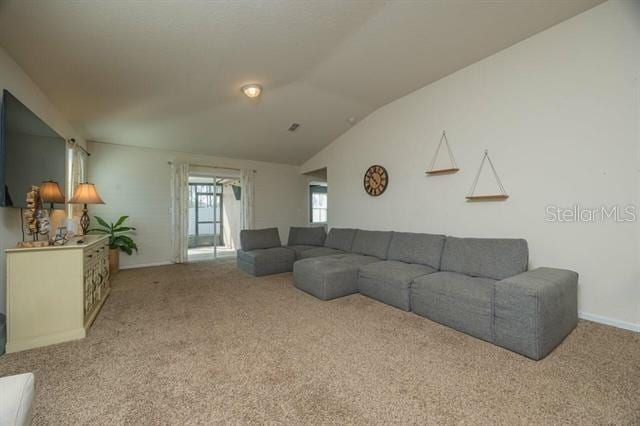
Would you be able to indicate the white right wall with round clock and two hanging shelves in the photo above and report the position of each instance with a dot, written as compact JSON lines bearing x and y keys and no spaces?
{"x":559,"y":114}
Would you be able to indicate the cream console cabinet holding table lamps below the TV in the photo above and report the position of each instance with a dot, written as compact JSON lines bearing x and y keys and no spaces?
{"x":55,"y":293}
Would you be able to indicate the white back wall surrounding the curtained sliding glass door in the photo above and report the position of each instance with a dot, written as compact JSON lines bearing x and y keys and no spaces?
{"x":137,"y":182}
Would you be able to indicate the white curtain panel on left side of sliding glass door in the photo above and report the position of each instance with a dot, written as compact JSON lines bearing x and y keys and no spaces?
{"x":180,"y":211}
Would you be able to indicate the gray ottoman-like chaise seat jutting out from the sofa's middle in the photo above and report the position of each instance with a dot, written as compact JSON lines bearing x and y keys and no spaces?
{"x":329,"y":277}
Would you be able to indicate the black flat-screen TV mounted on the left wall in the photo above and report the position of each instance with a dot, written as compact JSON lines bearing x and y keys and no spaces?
{"x":30,"y":152}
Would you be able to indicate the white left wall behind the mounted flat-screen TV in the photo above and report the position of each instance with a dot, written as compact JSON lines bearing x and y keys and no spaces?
{"x":12,"y":78}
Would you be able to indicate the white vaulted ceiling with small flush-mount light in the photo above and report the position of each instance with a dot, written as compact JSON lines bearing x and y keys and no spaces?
{"x":167,"y":74}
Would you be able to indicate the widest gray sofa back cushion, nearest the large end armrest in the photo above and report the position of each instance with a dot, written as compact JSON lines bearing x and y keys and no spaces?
{"x":496,"y":258}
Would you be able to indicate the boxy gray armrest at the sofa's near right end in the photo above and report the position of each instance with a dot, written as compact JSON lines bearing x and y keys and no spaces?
{"x":535,"y":310}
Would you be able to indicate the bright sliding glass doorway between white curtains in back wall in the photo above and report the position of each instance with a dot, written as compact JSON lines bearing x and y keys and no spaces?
{"x":214,"y":217}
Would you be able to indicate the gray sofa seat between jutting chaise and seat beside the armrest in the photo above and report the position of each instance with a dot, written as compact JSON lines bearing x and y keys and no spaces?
{"x":390,"y":281}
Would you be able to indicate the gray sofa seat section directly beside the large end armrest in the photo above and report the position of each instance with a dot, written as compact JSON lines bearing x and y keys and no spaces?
{"x":459,"y":301}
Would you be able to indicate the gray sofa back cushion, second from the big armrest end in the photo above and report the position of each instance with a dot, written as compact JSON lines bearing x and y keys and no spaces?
{"x":423,"y":249}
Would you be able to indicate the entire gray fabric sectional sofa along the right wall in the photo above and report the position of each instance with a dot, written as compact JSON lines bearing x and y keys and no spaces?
{"x":480,"y":286}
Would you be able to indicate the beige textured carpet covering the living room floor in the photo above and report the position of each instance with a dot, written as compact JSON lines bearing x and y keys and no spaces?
{"x":205,"y":343}
